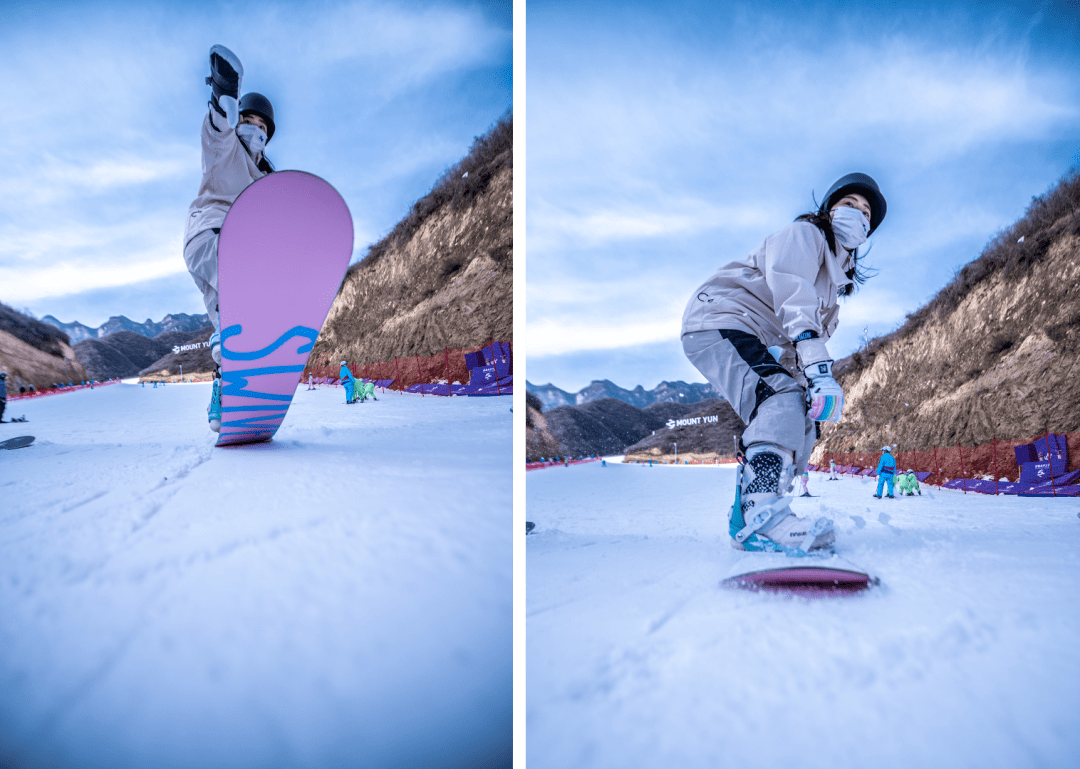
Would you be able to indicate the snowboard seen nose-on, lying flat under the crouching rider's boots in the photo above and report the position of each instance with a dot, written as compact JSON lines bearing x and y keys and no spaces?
{"x":811,"y":575}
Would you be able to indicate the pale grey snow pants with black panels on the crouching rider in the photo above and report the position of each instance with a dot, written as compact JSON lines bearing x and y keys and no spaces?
{"x":764,"y":394}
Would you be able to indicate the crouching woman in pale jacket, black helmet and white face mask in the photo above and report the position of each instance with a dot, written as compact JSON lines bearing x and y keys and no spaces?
{"x":784,"y":294}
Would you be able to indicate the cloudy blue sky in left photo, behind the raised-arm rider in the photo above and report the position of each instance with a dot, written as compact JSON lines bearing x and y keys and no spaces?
{"x":100,"y":136}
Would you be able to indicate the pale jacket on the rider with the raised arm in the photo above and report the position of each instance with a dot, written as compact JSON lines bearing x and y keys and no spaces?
{"x":227,"y":171}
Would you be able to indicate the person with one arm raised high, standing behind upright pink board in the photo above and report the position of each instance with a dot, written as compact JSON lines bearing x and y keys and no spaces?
{"x":235,"y":134}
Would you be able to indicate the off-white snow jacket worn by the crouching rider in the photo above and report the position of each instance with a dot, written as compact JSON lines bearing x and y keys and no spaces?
{"x":788,"y":286}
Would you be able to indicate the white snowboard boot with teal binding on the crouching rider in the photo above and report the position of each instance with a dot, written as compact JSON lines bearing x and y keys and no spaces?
{"x":761,"y":519}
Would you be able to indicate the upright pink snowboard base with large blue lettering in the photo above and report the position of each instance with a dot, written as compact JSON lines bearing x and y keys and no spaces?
{"x":285,"y":249}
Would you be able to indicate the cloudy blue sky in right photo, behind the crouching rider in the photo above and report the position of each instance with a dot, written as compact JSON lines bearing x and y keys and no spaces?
{"x":665,"y":140}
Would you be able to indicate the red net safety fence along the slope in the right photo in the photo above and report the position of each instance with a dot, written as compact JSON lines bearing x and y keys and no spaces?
{"x":991,"y":461}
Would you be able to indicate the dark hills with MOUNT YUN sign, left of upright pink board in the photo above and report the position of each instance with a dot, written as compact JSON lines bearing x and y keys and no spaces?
{"x":128,"y":354}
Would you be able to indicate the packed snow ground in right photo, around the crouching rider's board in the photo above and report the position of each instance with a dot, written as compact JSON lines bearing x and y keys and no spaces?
{"x":965,"y":656}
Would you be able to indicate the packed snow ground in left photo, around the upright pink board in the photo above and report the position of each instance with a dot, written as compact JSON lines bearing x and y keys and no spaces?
{"x":339,"y":598}
